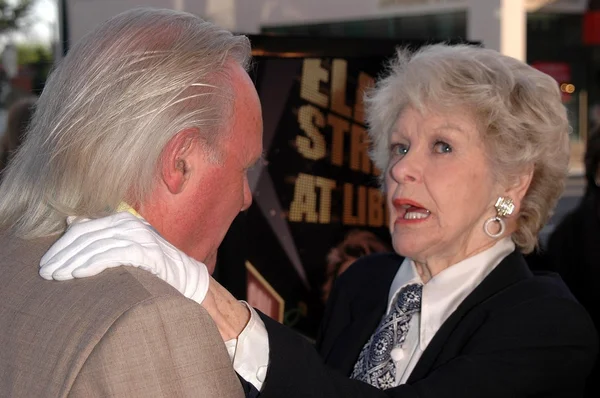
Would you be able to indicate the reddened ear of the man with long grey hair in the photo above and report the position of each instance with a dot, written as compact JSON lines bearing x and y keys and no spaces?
{"x":175,"y":159}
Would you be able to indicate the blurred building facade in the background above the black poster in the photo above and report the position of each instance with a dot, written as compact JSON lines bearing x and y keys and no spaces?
{"x":548,"y":34}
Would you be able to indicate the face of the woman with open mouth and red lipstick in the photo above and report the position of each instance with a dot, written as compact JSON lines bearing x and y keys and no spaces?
{"x":440,"y":189}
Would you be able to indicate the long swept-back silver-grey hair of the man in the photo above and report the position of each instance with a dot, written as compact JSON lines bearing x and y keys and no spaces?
{"x":108,"y":110}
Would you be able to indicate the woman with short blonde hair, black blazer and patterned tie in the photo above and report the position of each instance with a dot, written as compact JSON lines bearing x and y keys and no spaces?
{"x":474,"y":148}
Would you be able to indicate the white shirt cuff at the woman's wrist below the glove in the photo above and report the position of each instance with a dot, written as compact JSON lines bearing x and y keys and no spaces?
{"x":250,"y":351}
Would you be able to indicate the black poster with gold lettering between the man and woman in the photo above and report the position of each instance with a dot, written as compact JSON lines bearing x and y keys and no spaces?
{"x":316,"y":182}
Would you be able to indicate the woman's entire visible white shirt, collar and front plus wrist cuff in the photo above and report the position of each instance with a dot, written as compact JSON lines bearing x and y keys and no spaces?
{"x":441,"y":296}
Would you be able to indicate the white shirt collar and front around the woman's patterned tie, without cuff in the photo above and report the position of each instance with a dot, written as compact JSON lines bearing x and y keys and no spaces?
{"x":440,"y":298}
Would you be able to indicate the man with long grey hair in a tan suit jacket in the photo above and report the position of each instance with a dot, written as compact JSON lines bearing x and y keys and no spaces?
{"x":152,"y":112}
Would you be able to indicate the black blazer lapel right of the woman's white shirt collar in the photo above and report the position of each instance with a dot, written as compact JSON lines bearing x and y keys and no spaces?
{"x":510,"y":270}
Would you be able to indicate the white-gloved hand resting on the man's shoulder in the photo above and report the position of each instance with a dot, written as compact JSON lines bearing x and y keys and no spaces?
{"x":91,"y":246}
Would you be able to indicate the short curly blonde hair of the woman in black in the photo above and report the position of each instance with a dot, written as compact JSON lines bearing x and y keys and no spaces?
{"x":519,"y":108}
